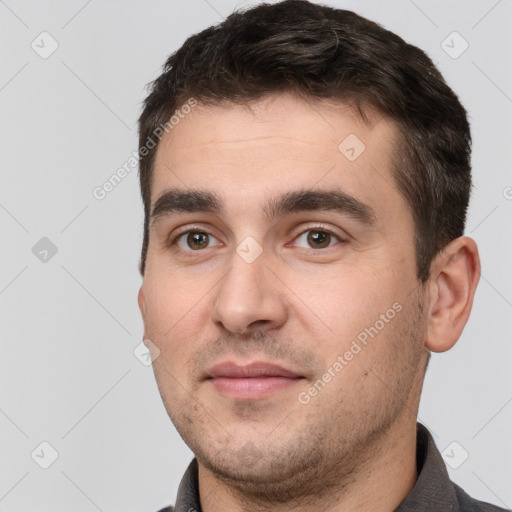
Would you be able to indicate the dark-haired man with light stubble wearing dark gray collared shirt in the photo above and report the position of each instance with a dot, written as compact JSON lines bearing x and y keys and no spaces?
{"x":305,"y":177}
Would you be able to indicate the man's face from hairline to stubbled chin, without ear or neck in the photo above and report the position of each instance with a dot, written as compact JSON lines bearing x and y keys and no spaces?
{"x":305,"y":260}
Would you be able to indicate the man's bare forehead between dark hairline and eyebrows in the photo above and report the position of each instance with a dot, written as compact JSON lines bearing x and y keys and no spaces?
{"x":276,"y":145}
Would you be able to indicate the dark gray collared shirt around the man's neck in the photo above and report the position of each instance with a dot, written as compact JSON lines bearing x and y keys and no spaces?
{"x":433,"y":491}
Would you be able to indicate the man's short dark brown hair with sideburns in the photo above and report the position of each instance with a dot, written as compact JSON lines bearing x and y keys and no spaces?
{"x":321,"y":52}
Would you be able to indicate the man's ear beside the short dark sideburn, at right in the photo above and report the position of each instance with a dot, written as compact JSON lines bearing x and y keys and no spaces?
{"x":454,"y":275}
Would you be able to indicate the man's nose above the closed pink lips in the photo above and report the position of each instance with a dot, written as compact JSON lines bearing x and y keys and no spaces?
{"x":250,"y":297}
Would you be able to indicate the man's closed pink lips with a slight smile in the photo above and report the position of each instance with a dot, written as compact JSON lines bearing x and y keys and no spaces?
{"x":253,"y":381}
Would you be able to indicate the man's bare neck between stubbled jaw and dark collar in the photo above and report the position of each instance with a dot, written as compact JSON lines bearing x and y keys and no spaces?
{"x":381,"y":480}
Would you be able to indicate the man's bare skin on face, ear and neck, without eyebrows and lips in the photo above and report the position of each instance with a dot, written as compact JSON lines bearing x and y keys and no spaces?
{"x":353,"y":445}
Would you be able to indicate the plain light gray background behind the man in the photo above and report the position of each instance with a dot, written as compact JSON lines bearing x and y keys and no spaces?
{"x":69,"y":325}
